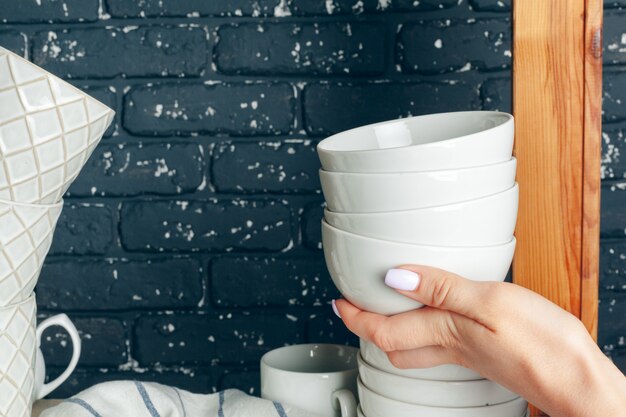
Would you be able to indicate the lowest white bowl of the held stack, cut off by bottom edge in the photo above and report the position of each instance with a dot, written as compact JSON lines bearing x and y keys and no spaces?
{"x":375,"y":405}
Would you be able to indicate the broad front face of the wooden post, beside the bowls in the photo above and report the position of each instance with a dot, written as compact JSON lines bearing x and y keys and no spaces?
{"x":548,"y":103}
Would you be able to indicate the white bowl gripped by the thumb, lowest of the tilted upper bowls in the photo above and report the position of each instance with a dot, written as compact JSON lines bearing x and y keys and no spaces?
{"x":358,"y":264}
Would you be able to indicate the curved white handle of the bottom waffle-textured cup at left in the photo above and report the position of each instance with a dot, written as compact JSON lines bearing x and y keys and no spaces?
{"x":42,"y":389}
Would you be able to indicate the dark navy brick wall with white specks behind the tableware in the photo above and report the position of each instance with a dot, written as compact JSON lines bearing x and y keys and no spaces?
{"x":190,"y":244}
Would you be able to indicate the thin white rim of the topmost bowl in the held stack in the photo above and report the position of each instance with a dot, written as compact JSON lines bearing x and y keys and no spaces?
{"x":322,"y":147}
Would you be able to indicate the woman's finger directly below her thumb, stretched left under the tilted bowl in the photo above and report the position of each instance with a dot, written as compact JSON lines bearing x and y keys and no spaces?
{"x":413,"y":329}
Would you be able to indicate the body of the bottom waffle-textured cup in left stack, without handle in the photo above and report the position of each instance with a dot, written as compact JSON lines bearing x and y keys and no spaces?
{"x":17,"y":358}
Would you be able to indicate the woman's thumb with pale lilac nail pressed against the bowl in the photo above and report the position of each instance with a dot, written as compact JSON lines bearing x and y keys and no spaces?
{"x":441,"y":289}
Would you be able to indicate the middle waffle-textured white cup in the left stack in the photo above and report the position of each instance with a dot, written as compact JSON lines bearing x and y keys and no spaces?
{"x":25,"y":238}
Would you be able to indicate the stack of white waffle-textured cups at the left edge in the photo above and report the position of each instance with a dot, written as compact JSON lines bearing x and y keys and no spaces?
{"x":48,"y":130}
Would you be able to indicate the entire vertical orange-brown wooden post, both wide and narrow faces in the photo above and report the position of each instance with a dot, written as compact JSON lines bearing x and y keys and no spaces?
{"x":557,"y":81}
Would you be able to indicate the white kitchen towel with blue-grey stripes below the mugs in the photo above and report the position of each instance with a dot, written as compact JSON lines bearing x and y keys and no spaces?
{"x":138,"y":399}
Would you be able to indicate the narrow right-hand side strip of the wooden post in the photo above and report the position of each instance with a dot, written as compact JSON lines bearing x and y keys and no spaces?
{"x":591,"y":172}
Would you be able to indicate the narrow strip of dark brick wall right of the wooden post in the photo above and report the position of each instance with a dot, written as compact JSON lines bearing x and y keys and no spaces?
{"x":613,"y":222}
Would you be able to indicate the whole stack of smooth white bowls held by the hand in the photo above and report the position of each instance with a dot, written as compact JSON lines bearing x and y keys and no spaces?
{"x":435,"y":190}
